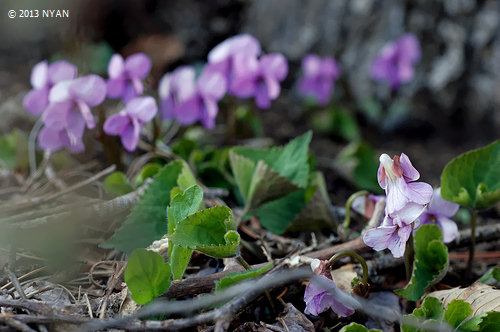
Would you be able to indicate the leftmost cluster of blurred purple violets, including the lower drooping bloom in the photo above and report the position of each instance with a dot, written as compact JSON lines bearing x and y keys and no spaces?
{"x":65,"y":101}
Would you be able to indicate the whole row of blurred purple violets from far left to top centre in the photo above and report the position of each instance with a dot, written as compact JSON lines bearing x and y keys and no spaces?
{"x":235,"y":67}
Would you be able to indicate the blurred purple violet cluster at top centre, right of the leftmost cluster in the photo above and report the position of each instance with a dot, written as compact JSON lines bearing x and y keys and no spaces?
{"x":233,"y":67}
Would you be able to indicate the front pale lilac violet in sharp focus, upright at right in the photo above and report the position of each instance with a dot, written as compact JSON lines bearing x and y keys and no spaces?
{"x":406,"y":201}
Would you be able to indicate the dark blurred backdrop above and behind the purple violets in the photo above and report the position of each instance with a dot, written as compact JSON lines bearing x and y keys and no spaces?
{"x":450,"y":106}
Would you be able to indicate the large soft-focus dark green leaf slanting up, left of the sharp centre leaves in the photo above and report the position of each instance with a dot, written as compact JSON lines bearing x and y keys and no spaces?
{"x":147,"y":221}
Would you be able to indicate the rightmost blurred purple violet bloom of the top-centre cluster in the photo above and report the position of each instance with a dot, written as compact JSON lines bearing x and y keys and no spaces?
{"x":259,"y":78}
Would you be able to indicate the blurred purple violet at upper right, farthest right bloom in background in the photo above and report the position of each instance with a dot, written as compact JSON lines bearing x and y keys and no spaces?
{"x":395,"y":61}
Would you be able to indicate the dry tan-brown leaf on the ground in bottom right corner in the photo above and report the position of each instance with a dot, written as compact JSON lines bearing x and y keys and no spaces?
{"x":481,"y":297}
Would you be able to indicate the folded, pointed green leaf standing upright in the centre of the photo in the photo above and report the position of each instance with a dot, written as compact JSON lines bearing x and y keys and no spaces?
{"x":266,"y":174}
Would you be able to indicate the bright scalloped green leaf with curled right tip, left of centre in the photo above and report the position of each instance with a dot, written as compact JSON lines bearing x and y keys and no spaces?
{"x":211,"y":231}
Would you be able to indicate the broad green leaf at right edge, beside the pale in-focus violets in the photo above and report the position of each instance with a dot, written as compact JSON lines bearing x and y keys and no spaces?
{"x":473,"y":178}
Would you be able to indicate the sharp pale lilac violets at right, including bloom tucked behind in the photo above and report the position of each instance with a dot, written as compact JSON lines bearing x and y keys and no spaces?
{"x":409,"y":204}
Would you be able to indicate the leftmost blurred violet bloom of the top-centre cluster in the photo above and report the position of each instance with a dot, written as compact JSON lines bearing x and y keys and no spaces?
{"x":174,"y":88}
